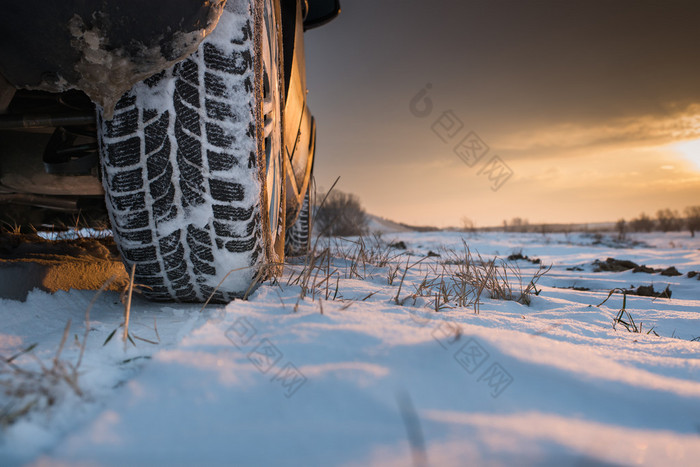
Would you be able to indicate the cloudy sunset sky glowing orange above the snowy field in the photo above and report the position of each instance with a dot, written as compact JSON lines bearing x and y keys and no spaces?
{"x":594,"y":106}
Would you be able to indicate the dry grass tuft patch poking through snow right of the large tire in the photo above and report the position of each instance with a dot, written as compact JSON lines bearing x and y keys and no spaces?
{"x":461,"y":280}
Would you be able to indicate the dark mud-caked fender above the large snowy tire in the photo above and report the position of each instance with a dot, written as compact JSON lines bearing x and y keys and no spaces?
{"x":100,"y":47}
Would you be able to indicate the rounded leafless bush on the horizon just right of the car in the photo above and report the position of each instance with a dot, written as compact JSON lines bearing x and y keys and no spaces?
{"x":341,"y":215}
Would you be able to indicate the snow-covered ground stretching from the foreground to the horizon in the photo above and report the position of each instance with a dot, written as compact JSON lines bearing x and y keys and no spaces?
{"x":346,"y":376}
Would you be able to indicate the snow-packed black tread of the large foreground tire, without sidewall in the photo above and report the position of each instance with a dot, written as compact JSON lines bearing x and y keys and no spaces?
{"x":181,"y":177}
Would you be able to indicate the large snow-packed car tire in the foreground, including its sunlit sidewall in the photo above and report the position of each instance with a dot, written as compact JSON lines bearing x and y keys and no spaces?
{"x":192,"y":164}
